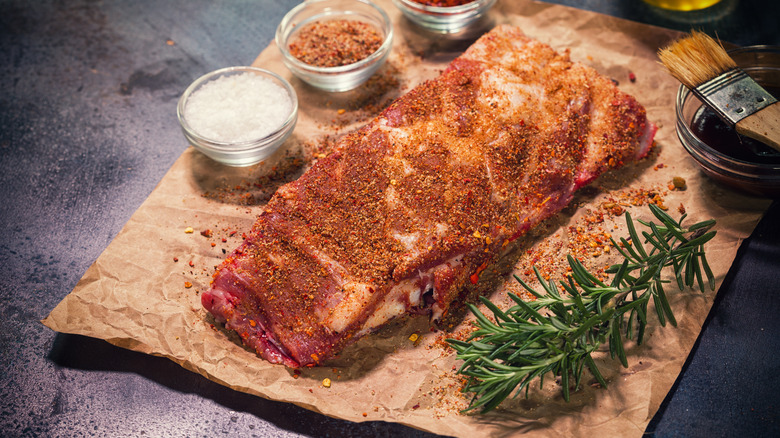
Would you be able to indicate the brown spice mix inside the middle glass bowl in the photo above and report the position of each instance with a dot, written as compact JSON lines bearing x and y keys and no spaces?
{"x":335,"y":42}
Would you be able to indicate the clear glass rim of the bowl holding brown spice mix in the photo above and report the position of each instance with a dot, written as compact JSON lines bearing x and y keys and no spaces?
{"x":282,"y":35}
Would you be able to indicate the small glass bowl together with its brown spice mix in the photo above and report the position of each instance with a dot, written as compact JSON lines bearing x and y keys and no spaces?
{"x":335,"y":45}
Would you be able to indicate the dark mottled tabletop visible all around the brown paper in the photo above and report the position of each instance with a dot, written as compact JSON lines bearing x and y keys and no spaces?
{"x":87,"y":110}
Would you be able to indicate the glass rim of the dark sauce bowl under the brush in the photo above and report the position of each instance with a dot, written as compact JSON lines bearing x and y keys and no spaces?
{"x":685,"y":133}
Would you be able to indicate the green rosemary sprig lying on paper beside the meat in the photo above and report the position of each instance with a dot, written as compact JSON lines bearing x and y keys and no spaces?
{"x":558,"y":332}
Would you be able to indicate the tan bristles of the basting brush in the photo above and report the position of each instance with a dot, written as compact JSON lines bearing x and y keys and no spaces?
{"x":696,"y":59}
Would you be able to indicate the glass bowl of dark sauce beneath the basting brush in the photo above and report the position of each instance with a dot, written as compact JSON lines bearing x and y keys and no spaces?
{"x":753,"y":169}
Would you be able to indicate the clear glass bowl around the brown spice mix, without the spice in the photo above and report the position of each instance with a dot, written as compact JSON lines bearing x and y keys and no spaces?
{"x":343,"y":77}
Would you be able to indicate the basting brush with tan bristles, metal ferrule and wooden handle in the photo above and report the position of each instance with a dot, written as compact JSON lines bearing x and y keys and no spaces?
{"x":703,"y":65}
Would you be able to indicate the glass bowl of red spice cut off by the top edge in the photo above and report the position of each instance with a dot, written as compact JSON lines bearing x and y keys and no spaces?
{"x":444,"y":19}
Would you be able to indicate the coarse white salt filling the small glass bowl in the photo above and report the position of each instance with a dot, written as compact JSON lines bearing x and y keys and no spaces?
{"x":238,"y":108}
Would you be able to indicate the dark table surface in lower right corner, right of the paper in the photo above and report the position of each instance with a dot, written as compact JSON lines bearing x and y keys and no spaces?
{"x":730,"y":383}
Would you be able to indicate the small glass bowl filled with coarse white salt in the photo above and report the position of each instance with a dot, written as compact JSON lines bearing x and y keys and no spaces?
{"x":238,"y":116}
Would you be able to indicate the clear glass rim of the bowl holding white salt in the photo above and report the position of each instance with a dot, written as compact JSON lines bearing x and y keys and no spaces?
{"x":246,"y":145}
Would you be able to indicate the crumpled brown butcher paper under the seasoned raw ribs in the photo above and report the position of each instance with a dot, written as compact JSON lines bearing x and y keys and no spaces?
{"x":143,"y":292}
